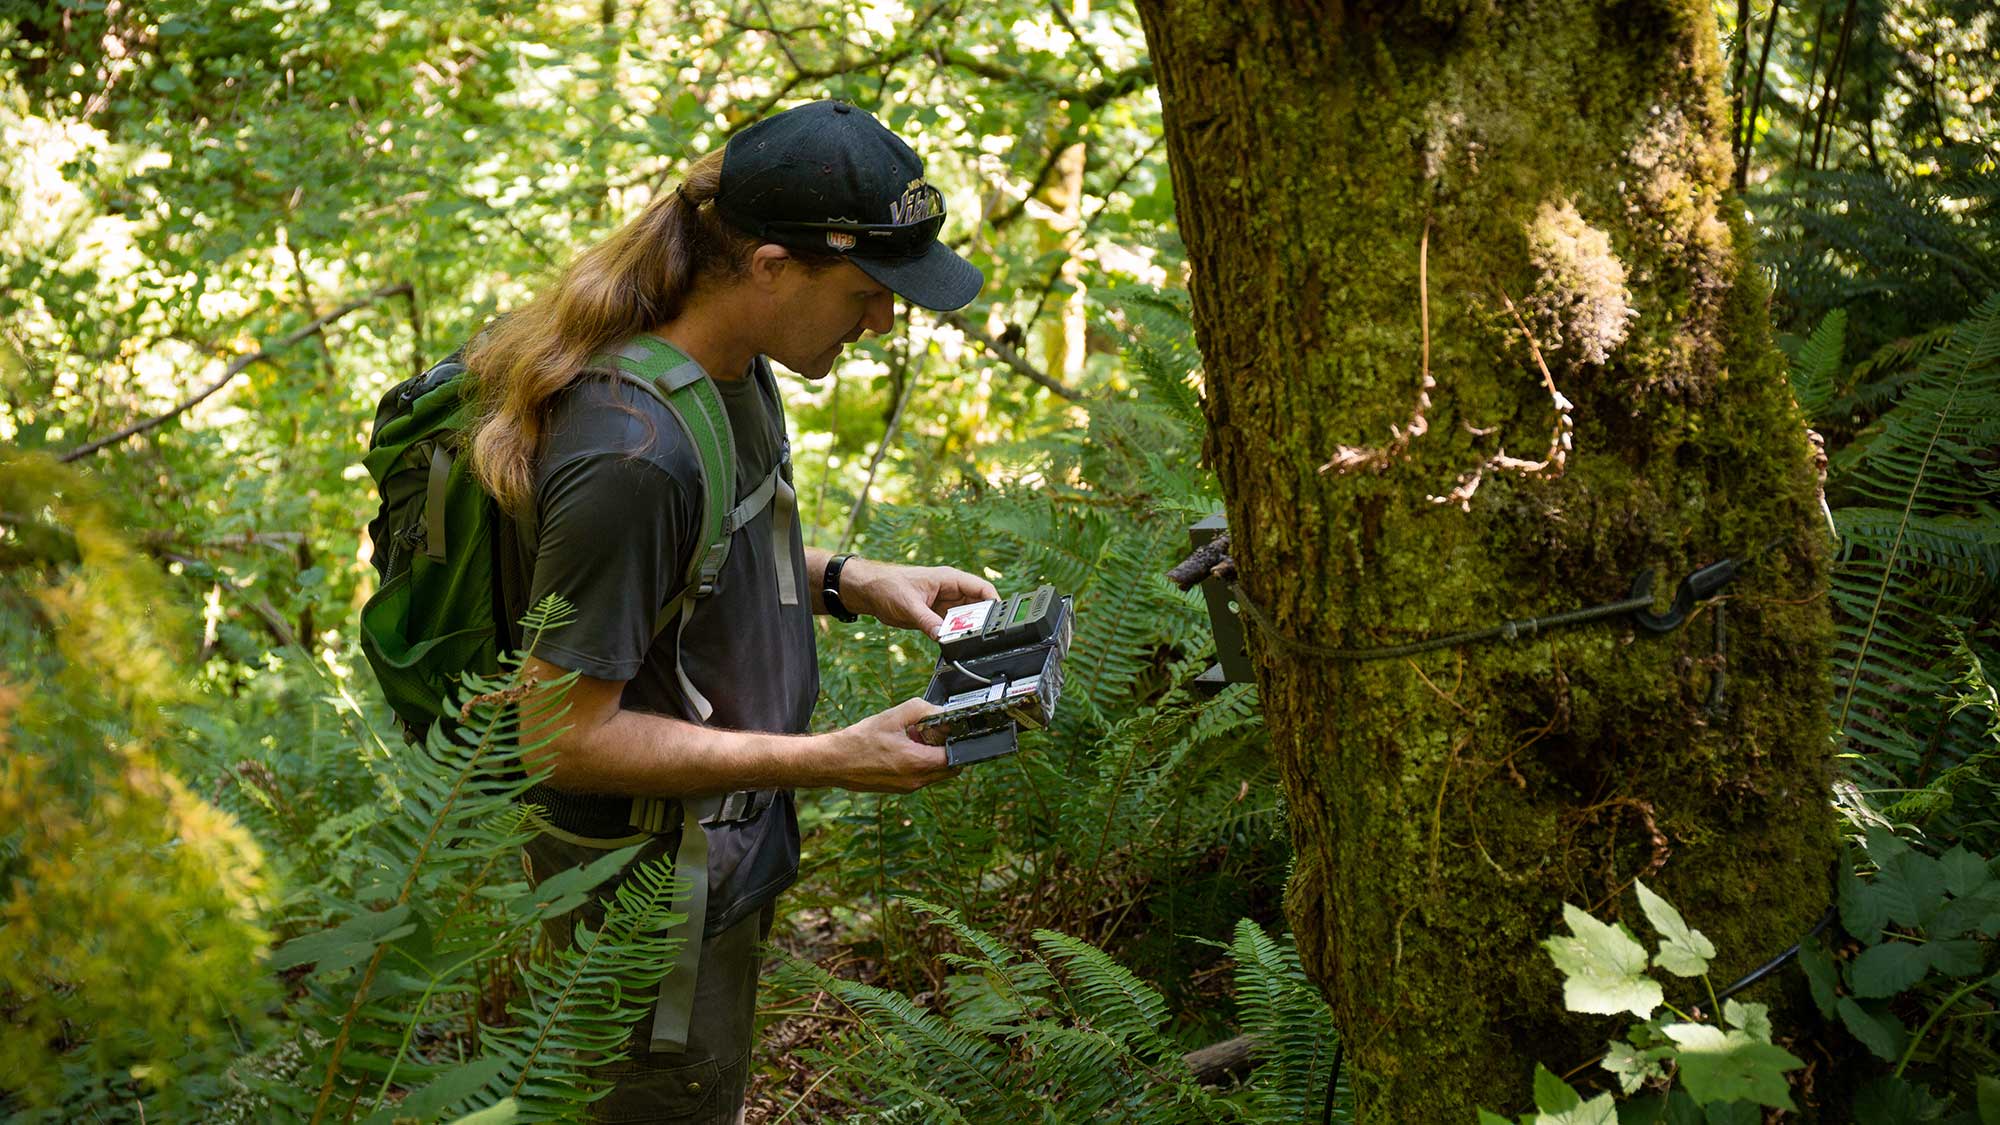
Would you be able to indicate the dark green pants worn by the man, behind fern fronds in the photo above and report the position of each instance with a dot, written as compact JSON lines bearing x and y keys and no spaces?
{"x":705,"y":1084}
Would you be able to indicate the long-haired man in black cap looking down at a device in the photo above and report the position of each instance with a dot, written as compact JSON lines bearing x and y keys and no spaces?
{"x":787,"y":245}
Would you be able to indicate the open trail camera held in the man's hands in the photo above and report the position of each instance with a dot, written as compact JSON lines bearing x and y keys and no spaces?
{"x":999,"y":670}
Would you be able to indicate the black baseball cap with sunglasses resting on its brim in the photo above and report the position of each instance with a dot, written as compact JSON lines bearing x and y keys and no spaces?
{"x":829,"y":177}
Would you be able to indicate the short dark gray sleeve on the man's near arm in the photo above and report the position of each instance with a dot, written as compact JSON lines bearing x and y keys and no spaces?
{"x":613,"y":539}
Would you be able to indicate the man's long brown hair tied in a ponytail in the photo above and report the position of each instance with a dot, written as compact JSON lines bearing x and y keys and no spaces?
{"x":637,"y":279}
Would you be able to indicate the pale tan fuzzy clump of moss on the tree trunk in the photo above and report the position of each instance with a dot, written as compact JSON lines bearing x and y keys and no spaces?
{"x":1581,"y":303}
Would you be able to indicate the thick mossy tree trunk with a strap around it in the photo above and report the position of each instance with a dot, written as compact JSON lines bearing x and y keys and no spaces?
{"x":1365,"y":193}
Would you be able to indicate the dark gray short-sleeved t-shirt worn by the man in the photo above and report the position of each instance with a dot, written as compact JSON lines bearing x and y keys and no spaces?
{"x":617,"y":519}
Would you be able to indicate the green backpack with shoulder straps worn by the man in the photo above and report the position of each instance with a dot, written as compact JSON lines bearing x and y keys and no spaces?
{"x":445,"y":551}
